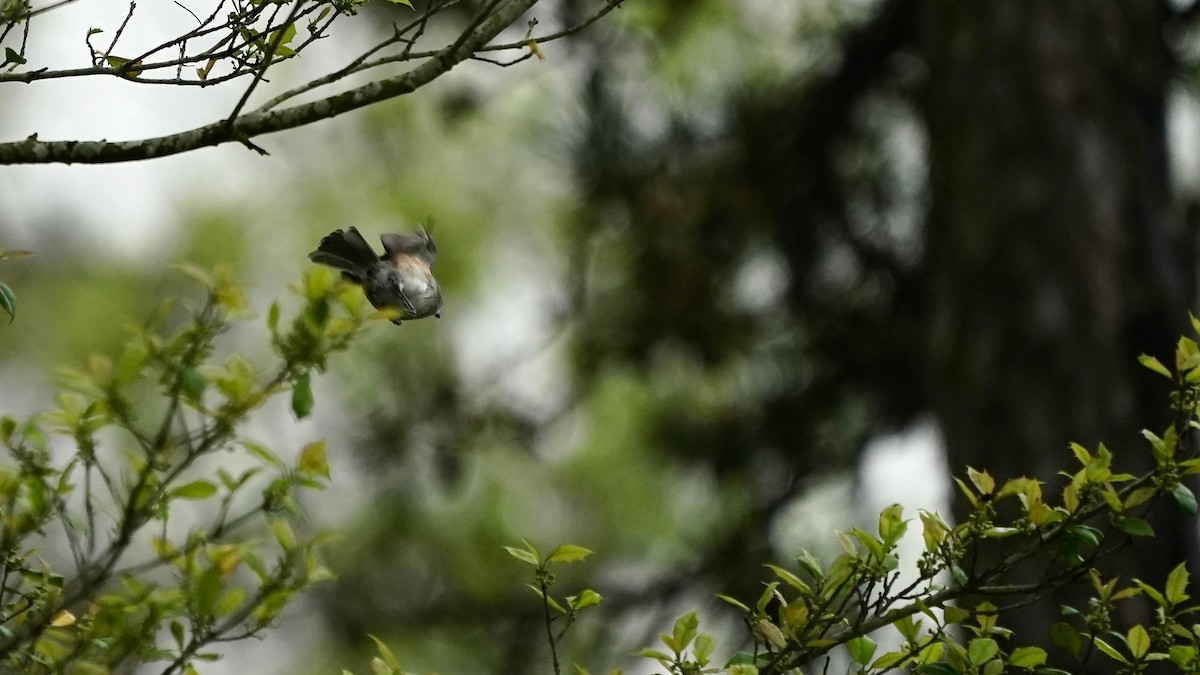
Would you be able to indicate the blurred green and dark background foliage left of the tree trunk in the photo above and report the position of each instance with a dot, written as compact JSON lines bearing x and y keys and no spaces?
{"x":591,"y":206}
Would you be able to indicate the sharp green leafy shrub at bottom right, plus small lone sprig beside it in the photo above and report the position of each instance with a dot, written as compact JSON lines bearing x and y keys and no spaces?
{"x":949,"y":619}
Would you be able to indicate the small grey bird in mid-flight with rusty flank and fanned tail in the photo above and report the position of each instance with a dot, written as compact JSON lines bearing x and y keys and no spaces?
{"x":400,"y":279}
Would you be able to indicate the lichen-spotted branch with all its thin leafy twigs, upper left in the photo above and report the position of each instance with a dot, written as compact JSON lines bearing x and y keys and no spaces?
{"x":253,"y":39}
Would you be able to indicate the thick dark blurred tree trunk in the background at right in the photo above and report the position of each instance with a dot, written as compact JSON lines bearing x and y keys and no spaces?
{"x":1054,"y":258}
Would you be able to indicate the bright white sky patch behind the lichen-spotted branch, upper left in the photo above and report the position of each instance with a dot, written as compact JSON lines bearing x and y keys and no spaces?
{"x":133,"y":210}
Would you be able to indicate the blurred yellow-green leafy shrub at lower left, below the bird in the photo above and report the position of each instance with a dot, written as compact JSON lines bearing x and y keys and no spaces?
{"x":140,"y":584}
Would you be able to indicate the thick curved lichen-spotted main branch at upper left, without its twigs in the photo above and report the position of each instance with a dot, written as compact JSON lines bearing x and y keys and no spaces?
{"x":250,"y":126}
